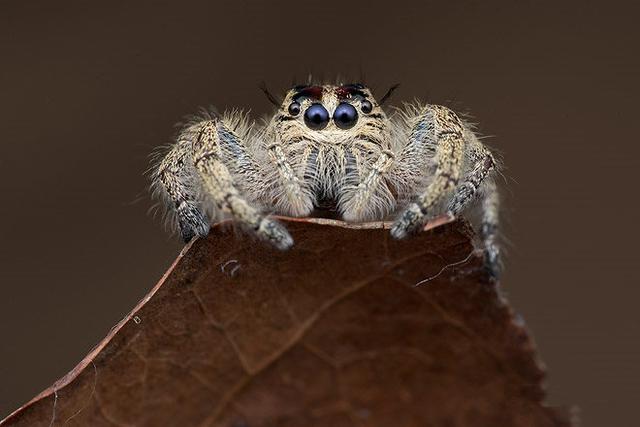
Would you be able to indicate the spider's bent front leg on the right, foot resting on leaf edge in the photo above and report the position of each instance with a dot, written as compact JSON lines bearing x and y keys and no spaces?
{"x":436,"y":130}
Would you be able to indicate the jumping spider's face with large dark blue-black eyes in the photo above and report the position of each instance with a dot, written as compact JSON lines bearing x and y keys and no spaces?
{"x":329,"y":112}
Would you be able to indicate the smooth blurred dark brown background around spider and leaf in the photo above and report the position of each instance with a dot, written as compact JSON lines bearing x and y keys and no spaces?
{"x":88,"y":89}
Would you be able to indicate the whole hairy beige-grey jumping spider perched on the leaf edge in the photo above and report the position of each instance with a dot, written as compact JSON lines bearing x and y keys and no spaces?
{"x":329,"y":143}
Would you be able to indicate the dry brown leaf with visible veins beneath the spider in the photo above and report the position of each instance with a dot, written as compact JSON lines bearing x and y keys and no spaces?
{"x":331,"y":333}
